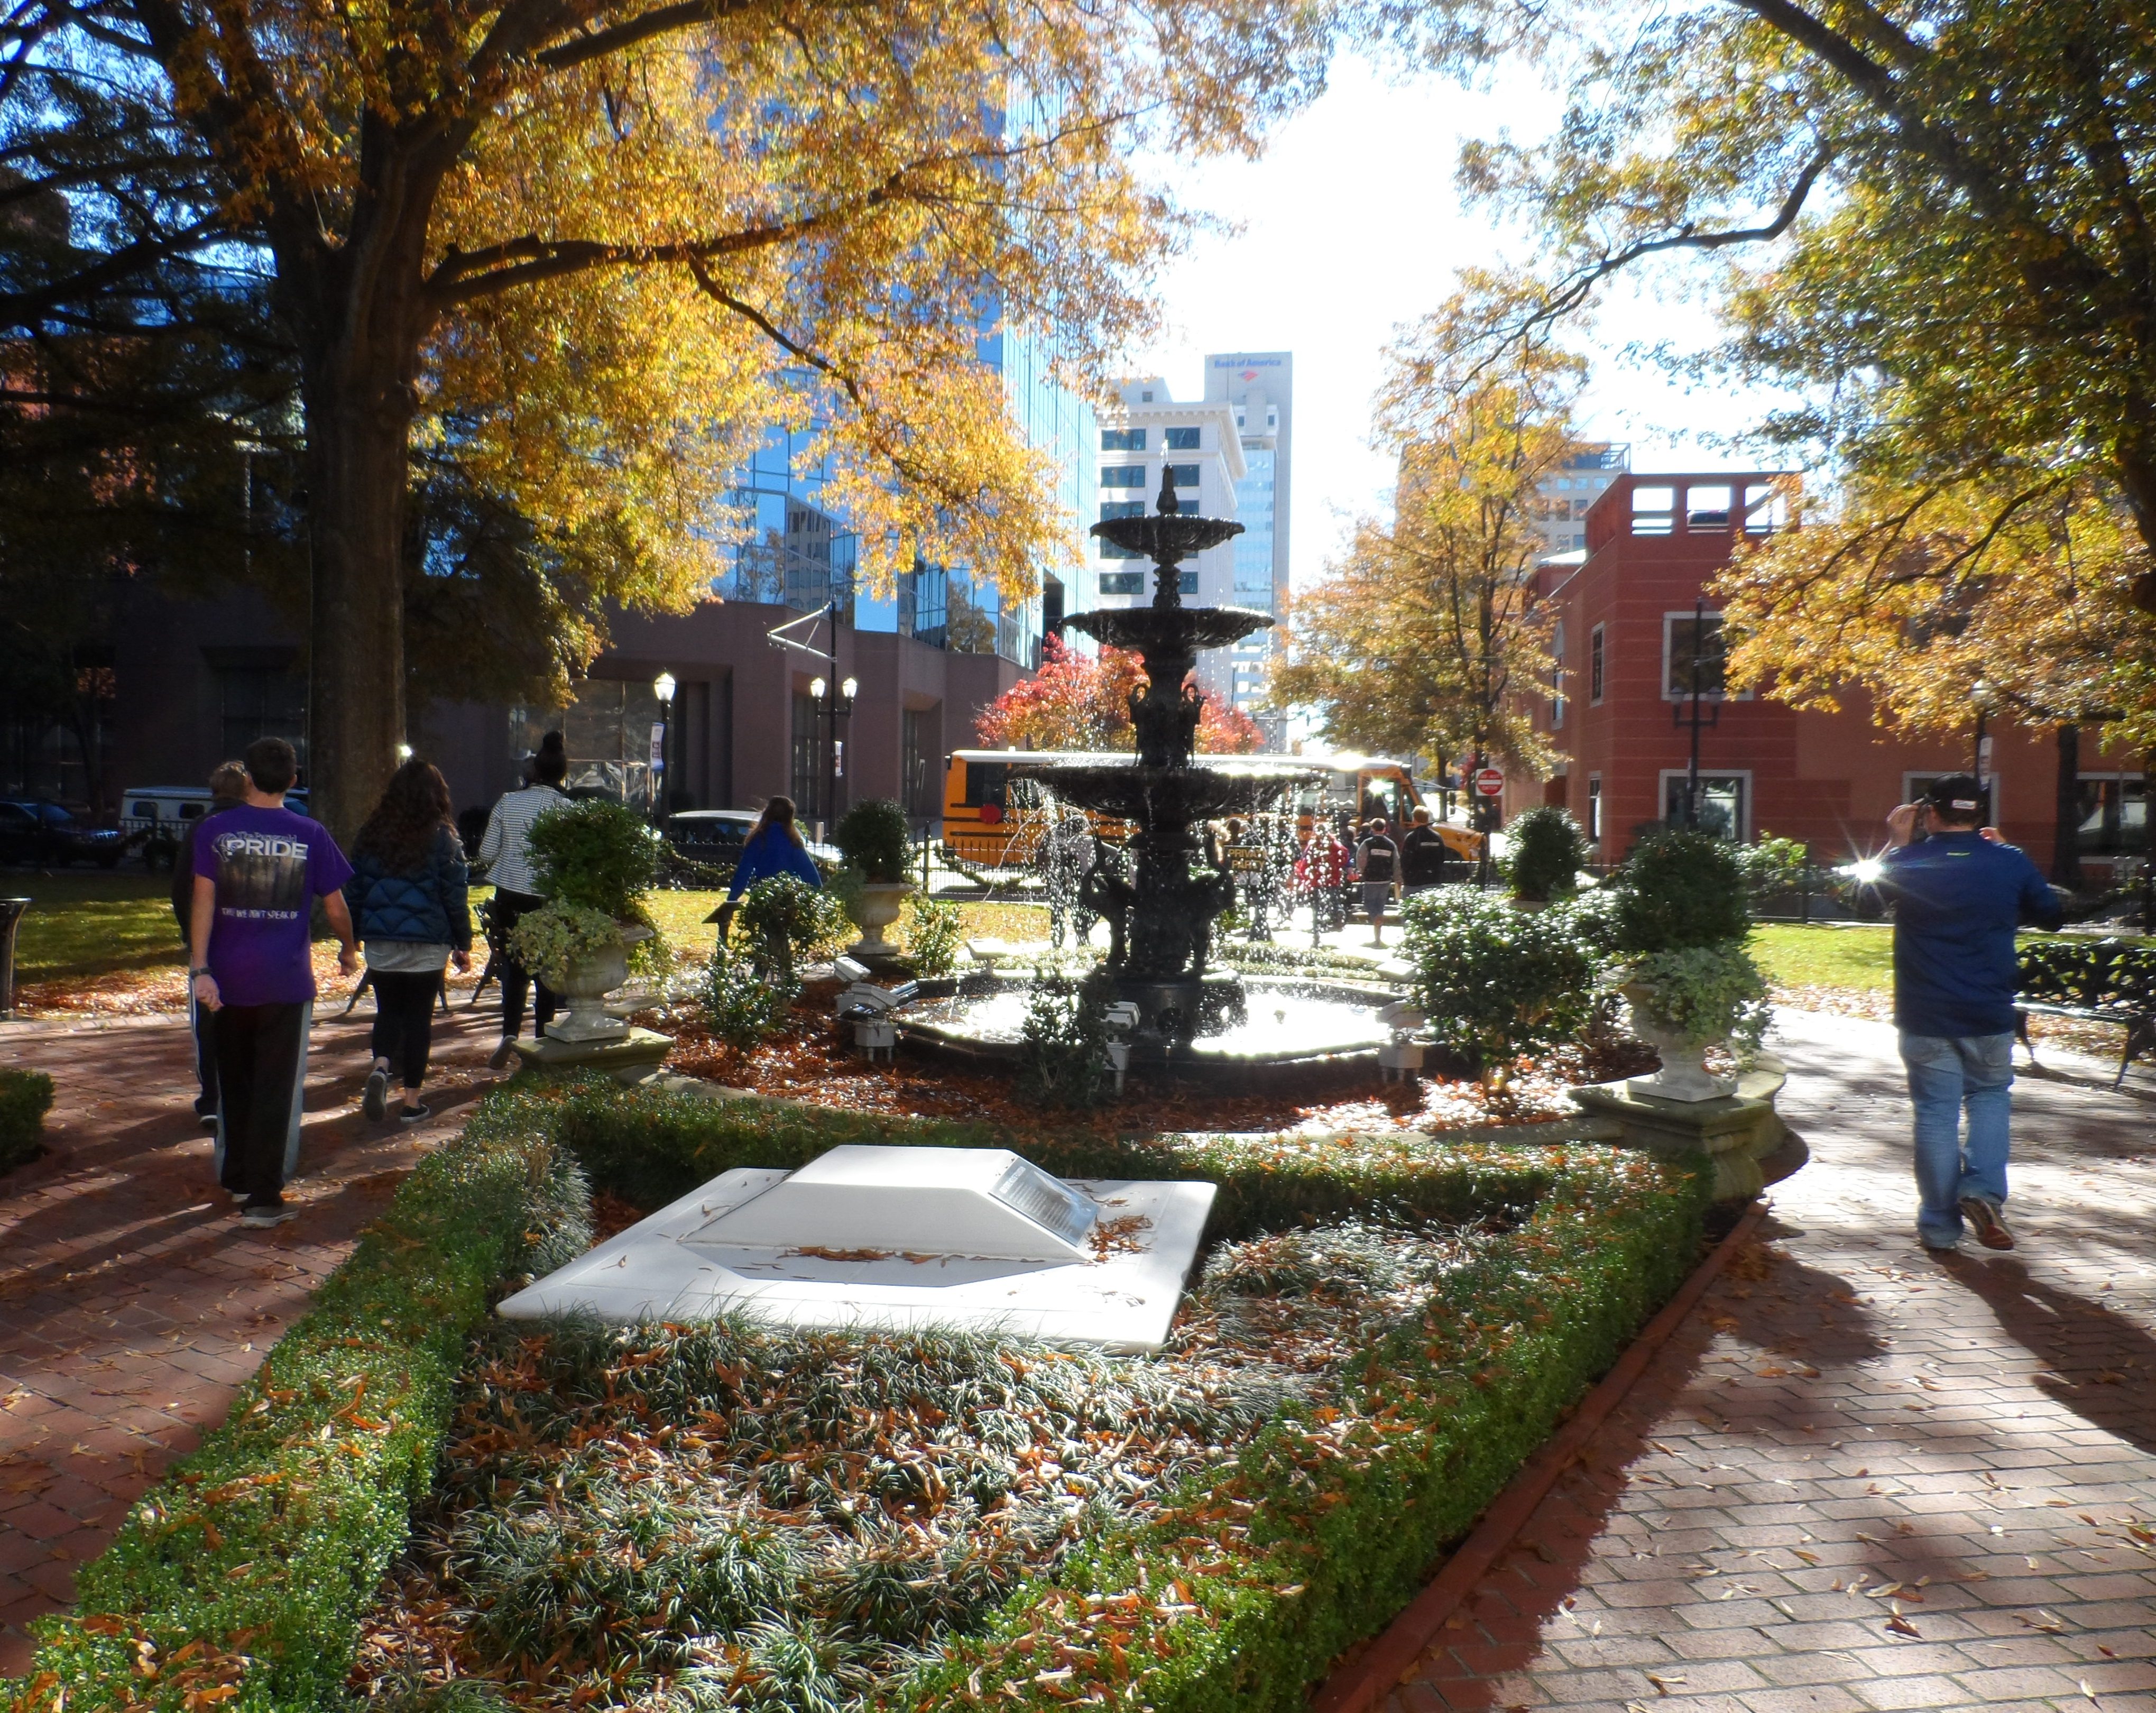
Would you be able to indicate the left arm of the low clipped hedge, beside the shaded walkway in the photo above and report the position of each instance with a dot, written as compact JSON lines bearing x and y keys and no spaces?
{"x":240,"y":1580}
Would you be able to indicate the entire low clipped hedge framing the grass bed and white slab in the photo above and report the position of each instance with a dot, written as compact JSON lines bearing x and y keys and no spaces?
{"x":245,"y":1576}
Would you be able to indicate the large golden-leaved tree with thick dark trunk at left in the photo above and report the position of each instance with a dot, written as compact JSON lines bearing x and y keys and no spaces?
{"x":592,"y":251}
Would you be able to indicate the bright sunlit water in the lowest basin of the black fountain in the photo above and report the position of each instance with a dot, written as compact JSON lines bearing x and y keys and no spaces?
{"x":1243,"y":1025}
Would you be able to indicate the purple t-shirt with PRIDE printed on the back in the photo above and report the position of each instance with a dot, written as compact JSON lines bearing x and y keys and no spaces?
{"x":271,"y":865}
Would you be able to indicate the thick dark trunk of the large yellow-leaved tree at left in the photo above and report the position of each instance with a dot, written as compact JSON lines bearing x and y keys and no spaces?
{"x":359,"y":423}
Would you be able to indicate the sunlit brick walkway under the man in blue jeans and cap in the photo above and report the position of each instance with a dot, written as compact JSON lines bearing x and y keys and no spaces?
{"x":1864,"y":1479}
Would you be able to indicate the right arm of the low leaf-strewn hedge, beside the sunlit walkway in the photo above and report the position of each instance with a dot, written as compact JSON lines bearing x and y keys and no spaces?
{"x":1243,"y":1593}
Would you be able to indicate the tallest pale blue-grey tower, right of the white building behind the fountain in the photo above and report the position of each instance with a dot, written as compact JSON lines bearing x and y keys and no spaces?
{"x":1260,"y":387}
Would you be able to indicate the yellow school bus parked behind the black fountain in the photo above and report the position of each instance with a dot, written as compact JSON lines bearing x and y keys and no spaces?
{"x":986,"y":824}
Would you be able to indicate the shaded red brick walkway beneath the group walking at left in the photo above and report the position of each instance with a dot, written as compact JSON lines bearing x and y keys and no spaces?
{"x":133,"y":1305}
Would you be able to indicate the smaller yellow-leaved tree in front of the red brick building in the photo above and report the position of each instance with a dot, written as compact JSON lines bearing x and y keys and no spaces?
{"x":1431,"y":637}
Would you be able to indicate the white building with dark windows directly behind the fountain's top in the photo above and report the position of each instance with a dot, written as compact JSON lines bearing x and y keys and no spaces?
{"x":1144,"y":434}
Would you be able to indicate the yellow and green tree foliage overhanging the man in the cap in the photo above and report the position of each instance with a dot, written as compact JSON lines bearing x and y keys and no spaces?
{"x":1931,"y":225}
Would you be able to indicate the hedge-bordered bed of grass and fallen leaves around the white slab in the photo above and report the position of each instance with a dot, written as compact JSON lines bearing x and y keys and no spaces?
{"x":419,"y":1507}
